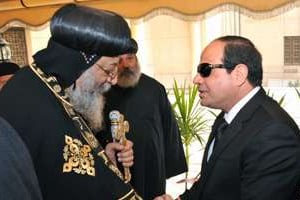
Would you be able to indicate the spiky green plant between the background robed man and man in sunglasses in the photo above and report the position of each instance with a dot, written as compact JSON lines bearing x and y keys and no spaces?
{"x":190,"y":116}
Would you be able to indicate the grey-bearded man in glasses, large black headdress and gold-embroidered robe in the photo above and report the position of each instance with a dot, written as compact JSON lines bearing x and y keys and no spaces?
{"x":52,"y":105}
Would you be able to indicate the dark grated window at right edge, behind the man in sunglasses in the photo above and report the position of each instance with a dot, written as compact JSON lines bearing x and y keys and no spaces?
{"x":292,"y":50}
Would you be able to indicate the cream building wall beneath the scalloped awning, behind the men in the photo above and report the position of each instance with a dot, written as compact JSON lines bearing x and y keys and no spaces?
{"x":170,"y":46}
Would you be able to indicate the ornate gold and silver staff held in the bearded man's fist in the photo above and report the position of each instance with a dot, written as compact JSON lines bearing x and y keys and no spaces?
{"x":119,"y":128}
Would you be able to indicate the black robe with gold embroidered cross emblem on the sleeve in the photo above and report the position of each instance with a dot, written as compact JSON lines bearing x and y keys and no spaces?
{"x":65,"y":165}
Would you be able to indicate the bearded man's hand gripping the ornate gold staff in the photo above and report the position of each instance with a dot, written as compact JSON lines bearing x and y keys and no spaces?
{"x":124,"y":153}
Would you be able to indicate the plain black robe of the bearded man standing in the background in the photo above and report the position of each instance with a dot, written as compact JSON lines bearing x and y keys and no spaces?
{"x":158,"y":150}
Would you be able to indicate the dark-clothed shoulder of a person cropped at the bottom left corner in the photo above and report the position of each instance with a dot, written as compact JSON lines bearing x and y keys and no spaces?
{"x":17,"y":178}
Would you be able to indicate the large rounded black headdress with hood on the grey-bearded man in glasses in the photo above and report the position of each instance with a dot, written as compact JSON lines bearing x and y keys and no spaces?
{"x":79,"y":37}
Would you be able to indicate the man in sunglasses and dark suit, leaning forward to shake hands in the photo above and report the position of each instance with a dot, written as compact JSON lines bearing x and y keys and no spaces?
{"x":257,"y":156}
